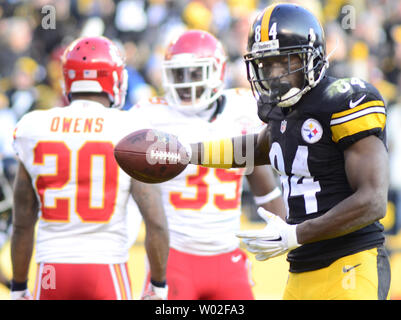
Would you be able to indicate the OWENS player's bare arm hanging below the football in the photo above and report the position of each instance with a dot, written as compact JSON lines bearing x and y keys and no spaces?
{"x":148,"y":199}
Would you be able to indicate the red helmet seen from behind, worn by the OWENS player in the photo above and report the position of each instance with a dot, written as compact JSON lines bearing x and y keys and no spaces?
{"x":94,"y":64}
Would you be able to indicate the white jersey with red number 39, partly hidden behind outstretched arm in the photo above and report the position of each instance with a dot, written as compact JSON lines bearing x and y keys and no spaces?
{"x":203,"y":204}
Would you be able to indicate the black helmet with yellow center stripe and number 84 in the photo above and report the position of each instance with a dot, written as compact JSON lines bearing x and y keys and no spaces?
{"x":284,"y":30}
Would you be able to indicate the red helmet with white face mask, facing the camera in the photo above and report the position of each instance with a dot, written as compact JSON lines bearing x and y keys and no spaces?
{"x":193,"y":71}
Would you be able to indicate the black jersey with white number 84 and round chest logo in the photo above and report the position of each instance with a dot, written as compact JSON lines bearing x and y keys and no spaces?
{"x":307,"y":149}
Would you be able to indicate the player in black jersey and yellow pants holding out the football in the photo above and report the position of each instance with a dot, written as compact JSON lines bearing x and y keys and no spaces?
{"x":326,"y":138}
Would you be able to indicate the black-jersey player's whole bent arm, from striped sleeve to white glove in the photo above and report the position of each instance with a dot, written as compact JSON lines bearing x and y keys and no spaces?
{"x":358,"y":129}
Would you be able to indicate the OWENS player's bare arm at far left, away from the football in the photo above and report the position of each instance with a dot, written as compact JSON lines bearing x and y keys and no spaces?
{"x":25,"y":214}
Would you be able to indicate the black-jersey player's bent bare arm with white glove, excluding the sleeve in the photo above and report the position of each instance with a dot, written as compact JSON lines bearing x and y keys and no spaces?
{"x":366,"y":168}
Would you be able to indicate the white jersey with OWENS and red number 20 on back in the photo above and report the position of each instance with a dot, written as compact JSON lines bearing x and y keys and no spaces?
{"x":81,"y":191}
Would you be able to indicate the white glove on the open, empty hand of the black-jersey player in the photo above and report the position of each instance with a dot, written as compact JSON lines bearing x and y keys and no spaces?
{"x":277,"y":238}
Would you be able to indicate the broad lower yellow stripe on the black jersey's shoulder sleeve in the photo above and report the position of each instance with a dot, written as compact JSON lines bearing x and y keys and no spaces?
{"x":359,"y":124}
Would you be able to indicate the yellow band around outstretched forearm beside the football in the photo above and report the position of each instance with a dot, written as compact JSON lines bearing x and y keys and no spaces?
{"x":218,"y":154}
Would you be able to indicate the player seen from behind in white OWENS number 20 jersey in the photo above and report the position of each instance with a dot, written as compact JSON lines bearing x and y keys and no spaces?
{"x":69,"y":180}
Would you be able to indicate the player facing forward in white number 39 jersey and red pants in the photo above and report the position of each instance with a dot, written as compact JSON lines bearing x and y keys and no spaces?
{"x":203,"y":205}
